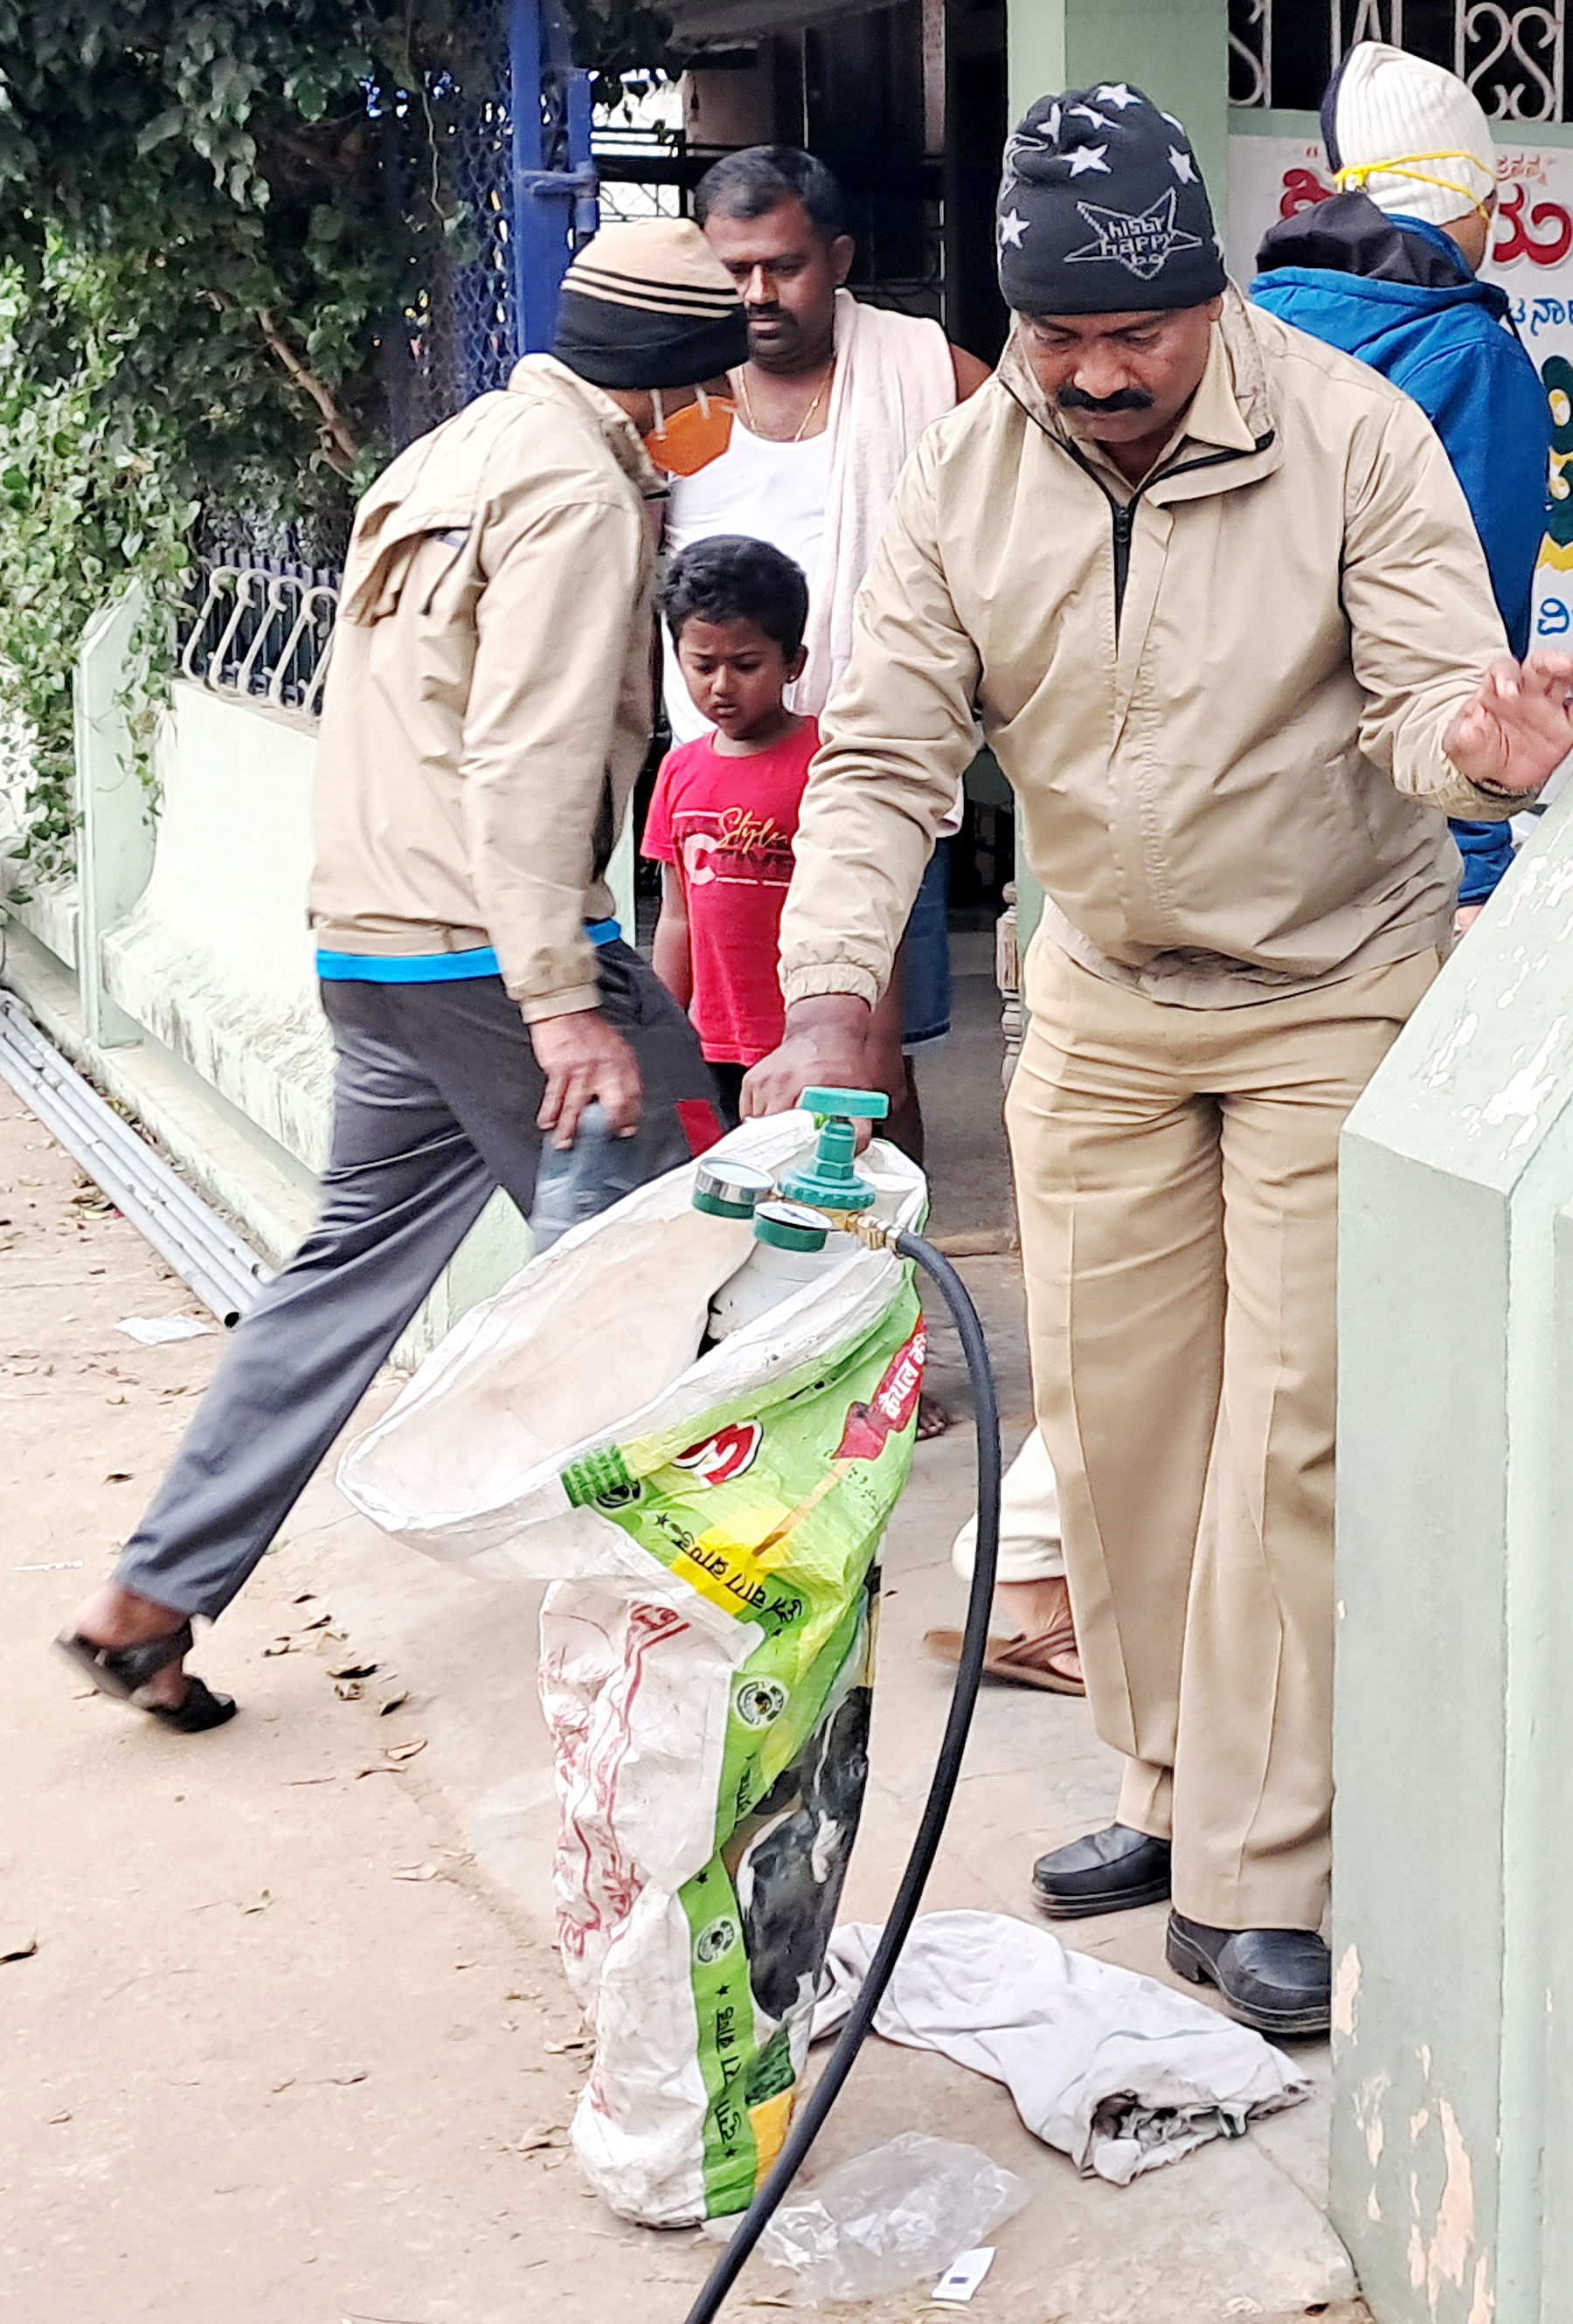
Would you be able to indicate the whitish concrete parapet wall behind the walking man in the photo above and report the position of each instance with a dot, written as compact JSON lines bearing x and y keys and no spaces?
{"x":178,"y":968}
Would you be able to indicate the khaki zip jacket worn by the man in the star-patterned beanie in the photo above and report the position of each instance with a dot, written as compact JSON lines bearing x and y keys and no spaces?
{"x":1219,"y":701}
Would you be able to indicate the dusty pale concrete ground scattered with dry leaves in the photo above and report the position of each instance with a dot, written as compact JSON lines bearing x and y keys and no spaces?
{"x":308,"y":2060}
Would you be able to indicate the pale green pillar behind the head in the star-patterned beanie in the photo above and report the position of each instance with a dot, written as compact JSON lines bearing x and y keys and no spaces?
{"x":1179,"y":52}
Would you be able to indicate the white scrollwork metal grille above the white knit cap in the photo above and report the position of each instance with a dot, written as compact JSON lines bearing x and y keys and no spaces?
{"x":1509,"y":52}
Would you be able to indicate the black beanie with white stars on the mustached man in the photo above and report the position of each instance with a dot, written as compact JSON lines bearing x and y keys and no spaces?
{"x":1102,"y":210}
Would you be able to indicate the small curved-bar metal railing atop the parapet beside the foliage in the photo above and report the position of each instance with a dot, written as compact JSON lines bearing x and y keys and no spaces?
{"x":264,"y":636}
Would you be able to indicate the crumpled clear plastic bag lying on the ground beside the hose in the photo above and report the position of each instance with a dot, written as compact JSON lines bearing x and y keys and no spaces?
{"x":889,"y":2218}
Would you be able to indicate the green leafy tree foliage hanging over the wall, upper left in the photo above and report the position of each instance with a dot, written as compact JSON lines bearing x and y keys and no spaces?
{"x":224,"y":229}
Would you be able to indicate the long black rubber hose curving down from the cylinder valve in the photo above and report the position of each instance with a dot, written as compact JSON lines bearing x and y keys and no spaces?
{"x":935,"y":1809}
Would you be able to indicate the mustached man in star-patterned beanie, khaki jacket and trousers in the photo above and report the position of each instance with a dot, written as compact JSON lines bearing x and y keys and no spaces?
{"x":1221,"y":608}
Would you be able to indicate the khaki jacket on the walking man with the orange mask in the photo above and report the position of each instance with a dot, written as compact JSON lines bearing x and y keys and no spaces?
{"x":489,"y":701}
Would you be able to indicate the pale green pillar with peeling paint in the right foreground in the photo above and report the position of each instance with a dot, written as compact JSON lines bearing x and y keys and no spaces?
{"x":1453,"y":1877}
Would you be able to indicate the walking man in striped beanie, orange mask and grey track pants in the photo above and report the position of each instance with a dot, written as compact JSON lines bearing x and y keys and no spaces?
{"x":489,"y":710}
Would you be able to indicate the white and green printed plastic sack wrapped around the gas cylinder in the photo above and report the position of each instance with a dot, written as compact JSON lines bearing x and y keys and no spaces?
{"x":708,"y":1642}
